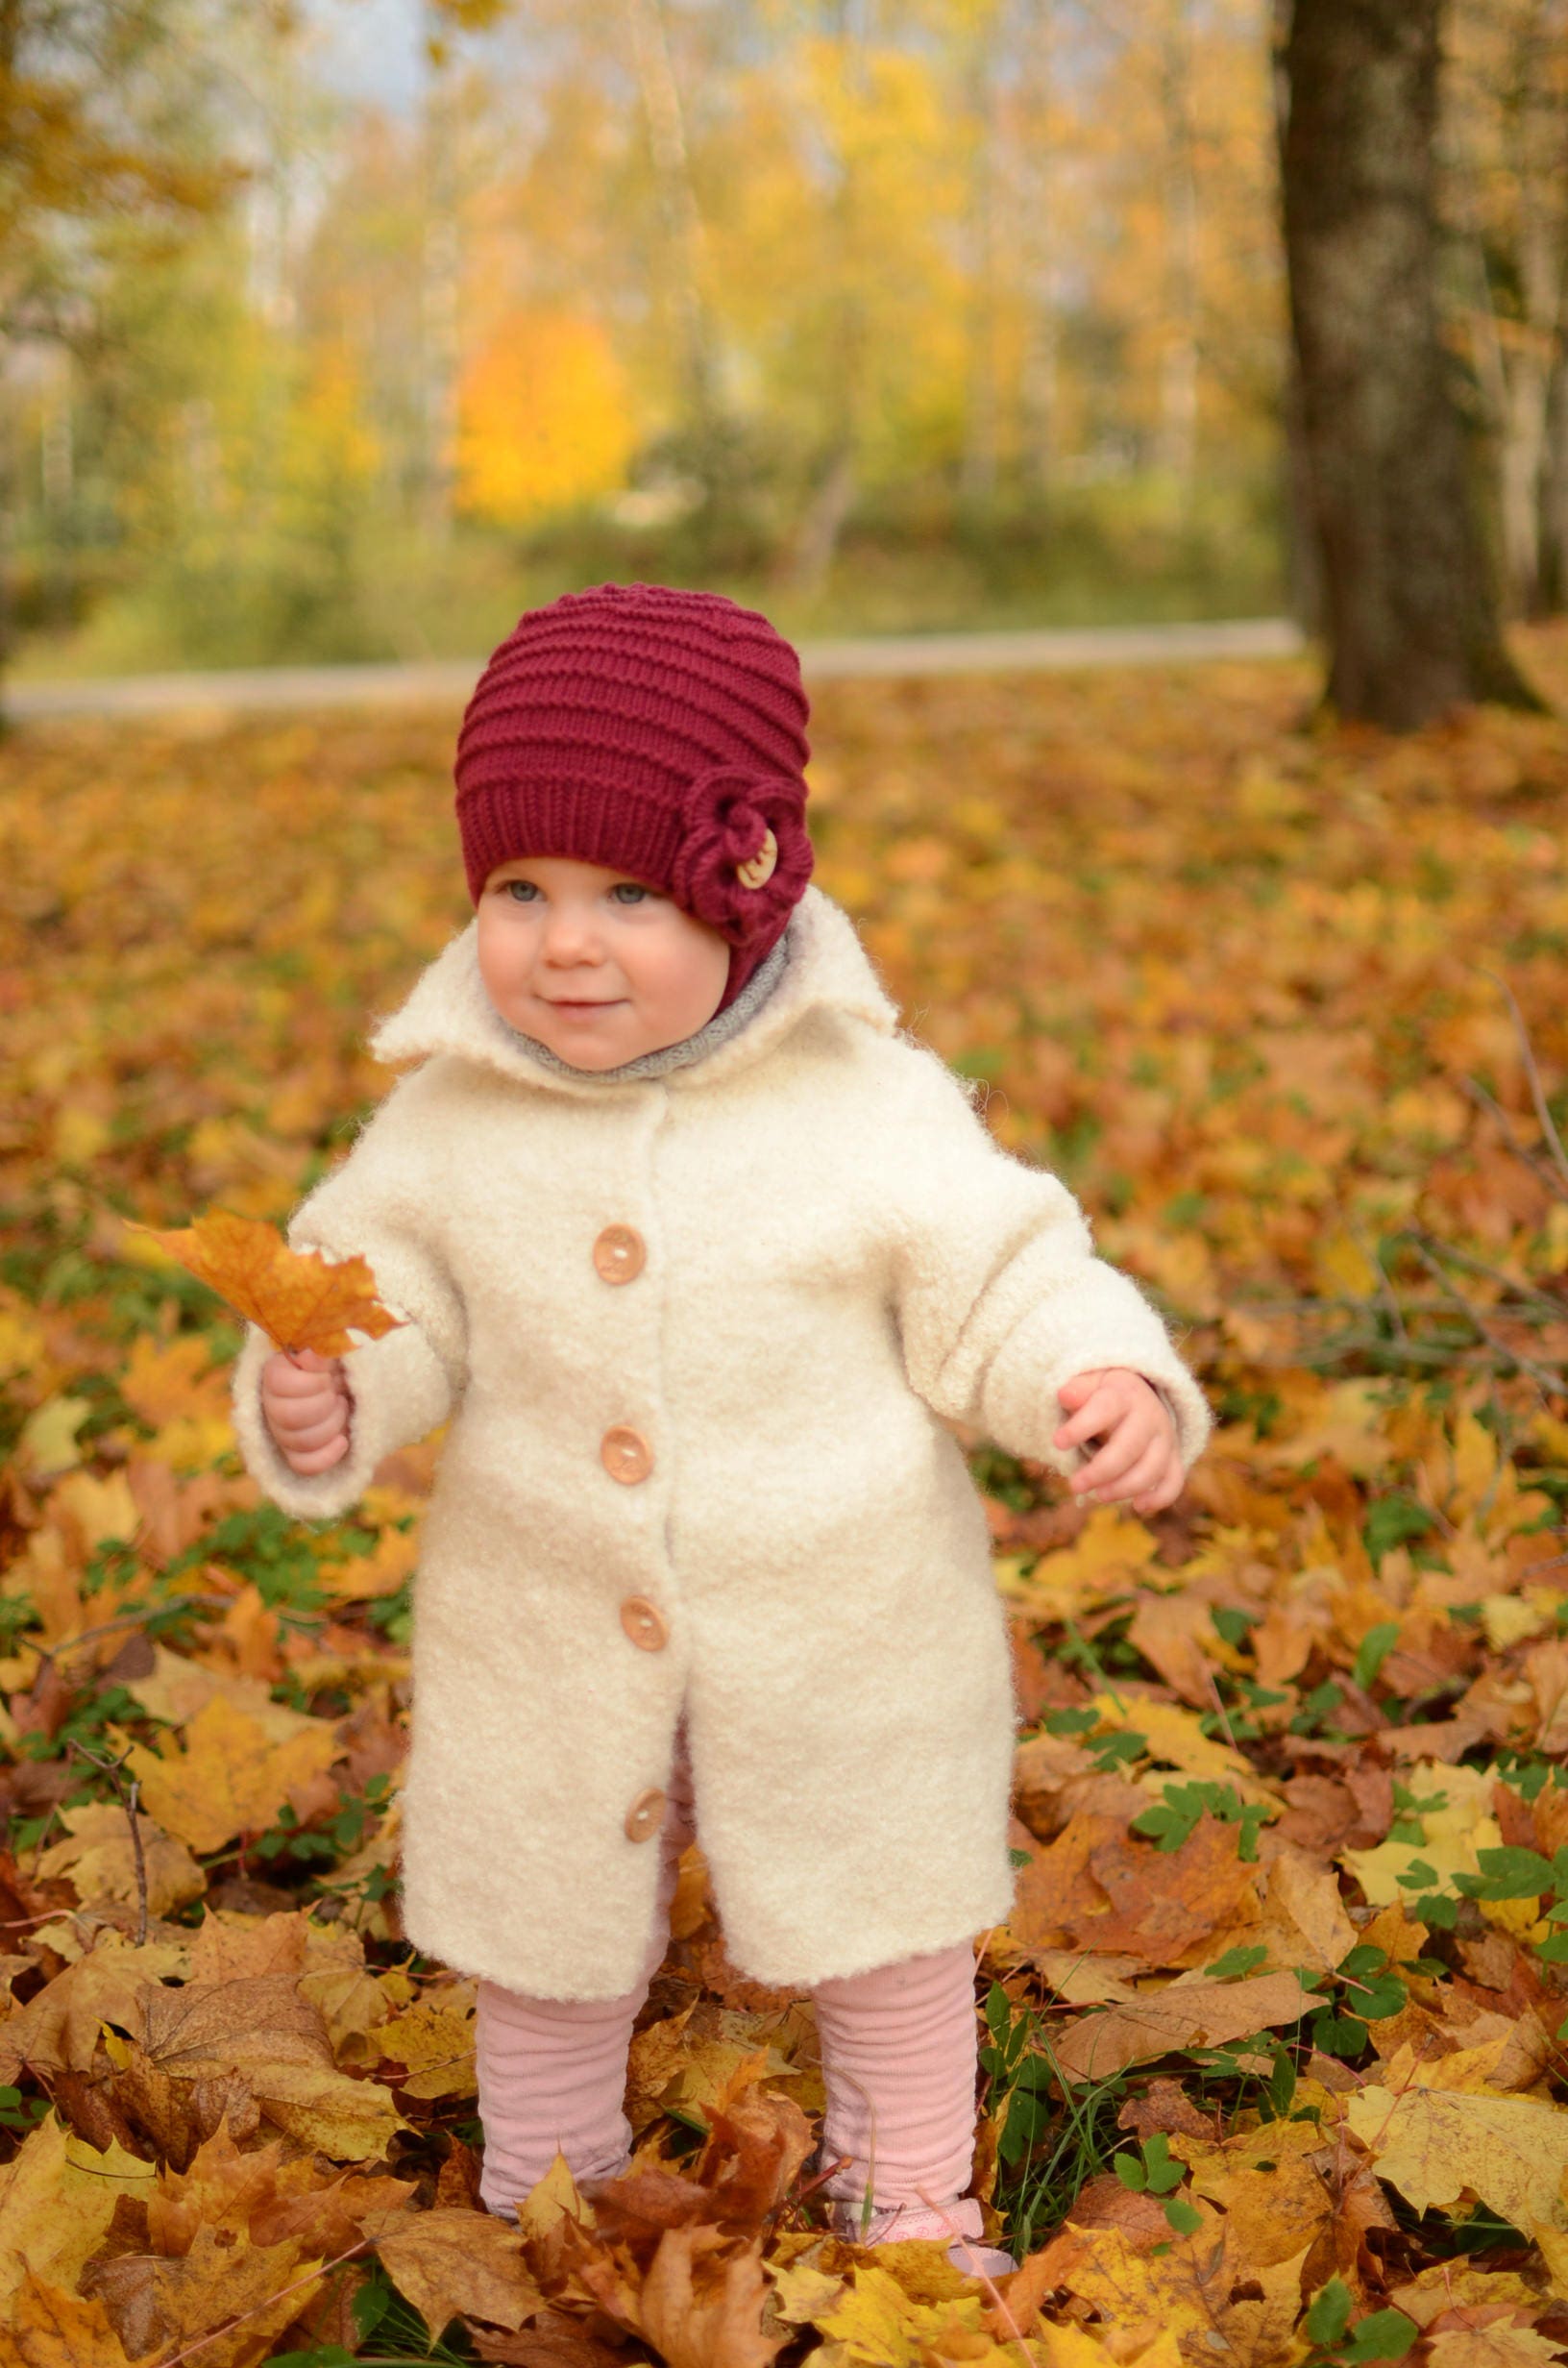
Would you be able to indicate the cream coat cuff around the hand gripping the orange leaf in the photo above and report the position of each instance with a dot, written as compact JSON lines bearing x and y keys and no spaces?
{"x":401,"y":1391}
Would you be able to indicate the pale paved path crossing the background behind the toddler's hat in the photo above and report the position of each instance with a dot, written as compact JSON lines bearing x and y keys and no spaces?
{"x":449,"y":683}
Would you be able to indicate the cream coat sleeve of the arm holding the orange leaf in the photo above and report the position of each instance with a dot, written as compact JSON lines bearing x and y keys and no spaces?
{"x":404,"y":1384}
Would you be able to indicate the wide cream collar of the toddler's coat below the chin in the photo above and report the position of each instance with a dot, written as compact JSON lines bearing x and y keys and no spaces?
{"x":449,"y":1010}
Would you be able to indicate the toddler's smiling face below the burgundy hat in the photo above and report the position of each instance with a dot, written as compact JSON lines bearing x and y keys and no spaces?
{"x":593,"y":963}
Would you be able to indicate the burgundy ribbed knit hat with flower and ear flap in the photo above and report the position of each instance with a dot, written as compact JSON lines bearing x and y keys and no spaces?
{"x":657,"y":733}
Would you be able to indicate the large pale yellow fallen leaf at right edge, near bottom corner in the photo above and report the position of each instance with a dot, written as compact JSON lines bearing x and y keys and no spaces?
{"x":1437,"y":2144}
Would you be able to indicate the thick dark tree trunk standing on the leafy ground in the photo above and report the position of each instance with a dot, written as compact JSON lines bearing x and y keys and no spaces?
{"x":1408,"y":596}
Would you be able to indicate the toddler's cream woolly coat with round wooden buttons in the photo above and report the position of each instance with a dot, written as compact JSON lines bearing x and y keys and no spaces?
{"x":837,"y":1259}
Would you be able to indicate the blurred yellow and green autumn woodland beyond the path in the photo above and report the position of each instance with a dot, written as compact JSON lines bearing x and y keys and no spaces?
{"x":968,"y":311}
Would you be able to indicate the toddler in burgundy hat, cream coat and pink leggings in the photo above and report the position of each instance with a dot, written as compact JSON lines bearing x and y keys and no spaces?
{"x":700,"y":1254}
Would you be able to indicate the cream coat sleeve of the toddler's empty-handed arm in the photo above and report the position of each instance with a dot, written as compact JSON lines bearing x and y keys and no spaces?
{"x":998,"y":1292}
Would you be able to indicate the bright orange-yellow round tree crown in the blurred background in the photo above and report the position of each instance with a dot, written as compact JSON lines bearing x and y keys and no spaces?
{"x":544,"y":418}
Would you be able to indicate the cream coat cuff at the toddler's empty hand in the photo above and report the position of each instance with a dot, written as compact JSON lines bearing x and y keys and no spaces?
{"x":1112,"y":1323}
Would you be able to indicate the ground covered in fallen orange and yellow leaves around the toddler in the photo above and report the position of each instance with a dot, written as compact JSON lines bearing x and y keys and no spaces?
{"x":1275,"y":2038}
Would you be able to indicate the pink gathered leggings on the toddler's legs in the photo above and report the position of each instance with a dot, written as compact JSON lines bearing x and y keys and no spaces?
{"x":899,"y":2064}
